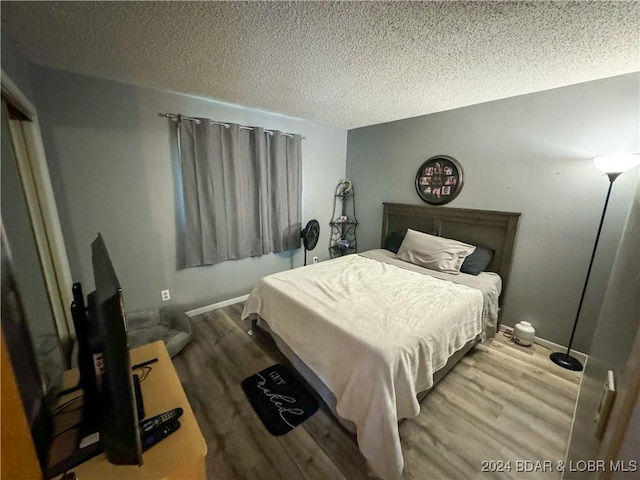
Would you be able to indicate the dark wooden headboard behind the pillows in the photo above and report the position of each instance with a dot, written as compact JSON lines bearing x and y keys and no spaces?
{"x":486,"y":228}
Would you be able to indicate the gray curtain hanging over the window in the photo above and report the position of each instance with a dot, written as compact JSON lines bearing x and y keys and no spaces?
{"x":242,"y":191}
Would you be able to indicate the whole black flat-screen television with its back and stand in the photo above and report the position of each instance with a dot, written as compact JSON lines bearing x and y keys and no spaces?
{"x":111,"y":407}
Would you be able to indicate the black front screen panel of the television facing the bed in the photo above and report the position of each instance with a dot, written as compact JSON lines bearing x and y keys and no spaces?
{"x":119,"y":433}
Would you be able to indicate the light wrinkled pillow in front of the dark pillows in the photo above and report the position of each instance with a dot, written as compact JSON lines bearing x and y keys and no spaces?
{"x":436,"y":253}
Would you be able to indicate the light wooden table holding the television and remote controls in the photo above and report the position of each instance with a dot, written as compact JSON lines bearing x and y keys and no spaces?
{"x":180,"y":456}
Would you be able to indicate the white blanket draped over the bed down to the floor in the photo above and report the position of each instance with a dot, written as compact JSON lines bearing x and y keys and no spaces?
{"x":374,"y":333}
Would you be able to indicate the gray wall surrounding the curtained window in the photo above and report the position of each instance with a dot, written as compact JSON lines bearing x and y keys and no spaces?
{"x":113,"y":163}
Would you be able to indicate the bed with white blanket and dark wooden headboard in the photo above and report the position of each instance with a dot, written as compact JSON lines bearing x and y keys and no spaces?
{"x":372,"y":333}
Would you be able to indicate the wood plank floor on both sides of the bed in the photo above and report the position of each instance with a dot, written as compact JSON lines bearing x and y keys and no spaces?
{"x":501,"y":403}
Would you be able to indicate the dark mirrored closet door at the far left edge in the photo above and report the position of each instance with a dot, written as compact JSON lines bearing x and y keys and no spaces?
{"x":28,"y":324}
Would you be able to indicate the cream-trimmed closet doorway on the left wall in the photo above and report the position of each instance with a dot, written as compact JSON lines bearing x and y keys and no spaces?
{"x":32,"y":227}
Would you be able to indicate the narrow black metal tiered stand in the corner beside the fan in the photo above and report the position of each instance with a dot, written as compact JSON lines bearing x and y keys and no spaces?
{"x":343,"y":222}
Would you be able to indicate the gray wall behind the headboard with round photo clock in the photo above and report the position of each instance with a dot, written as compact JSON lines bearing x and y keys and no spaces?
{"x":530,"y":154}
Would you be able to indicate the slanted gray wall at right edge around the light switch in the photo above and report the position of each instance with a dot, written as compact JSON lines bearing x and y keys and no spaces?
{"x":617,"y":327}
